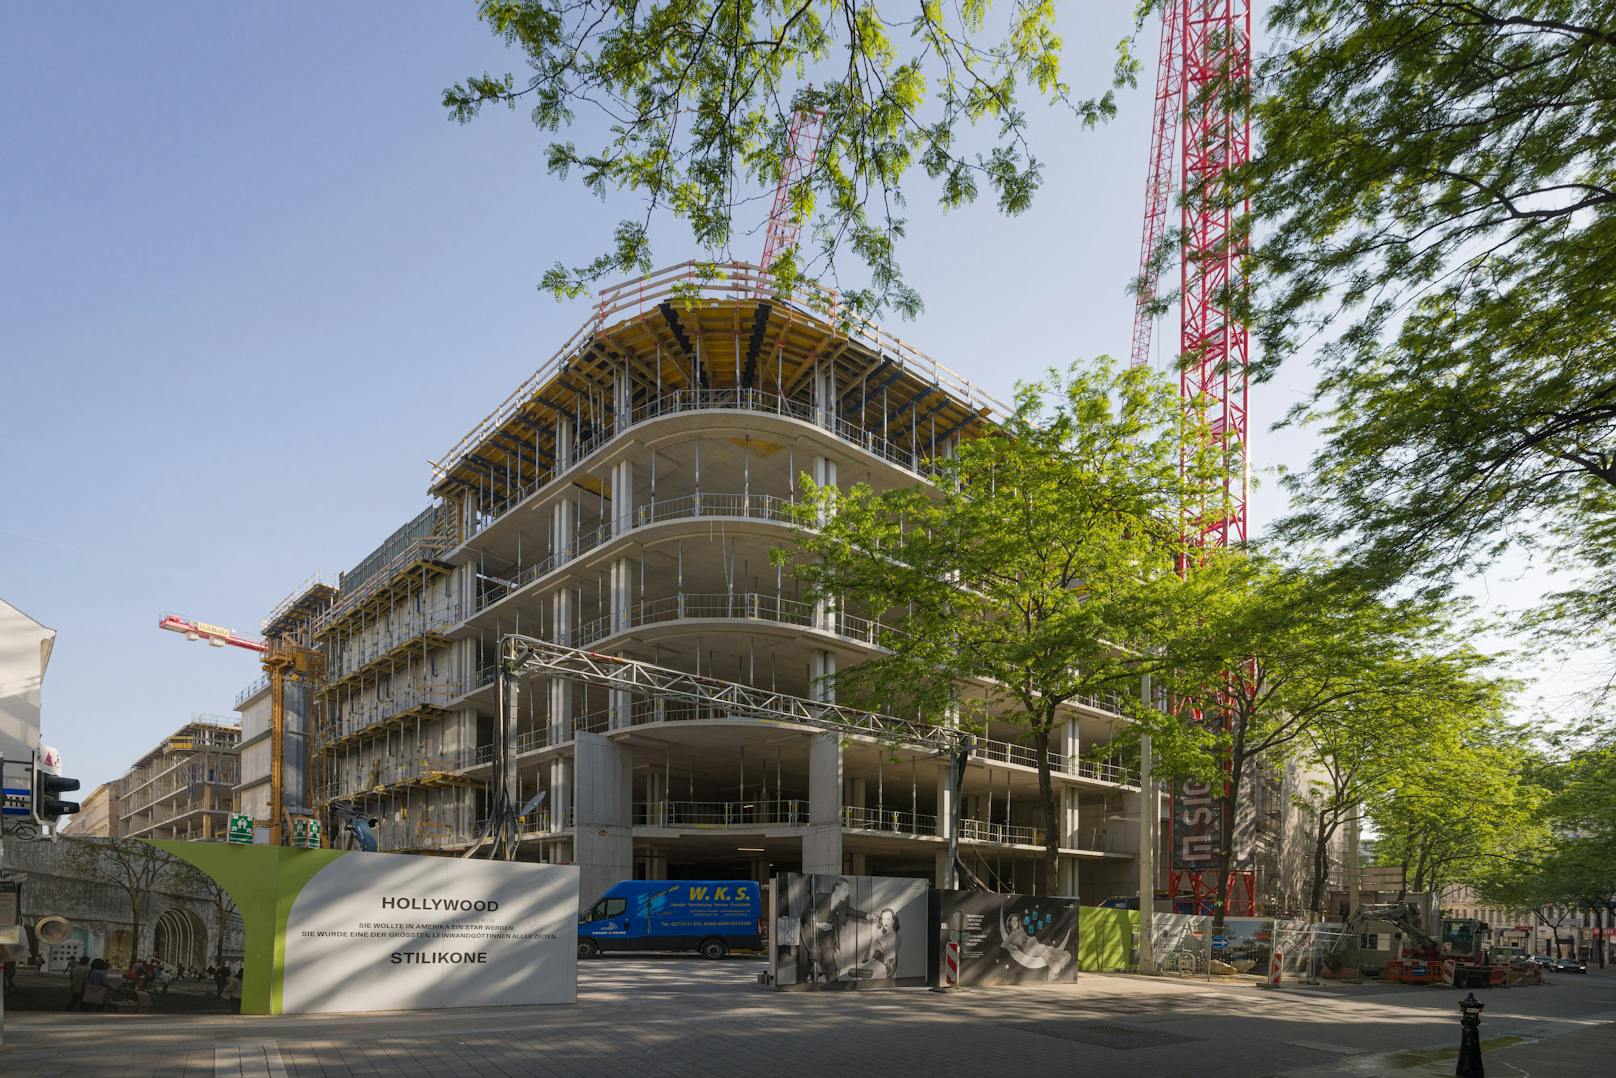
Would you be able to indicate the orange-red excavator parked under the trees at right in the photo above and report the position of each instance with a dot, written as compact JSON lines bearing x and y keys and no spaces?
{"x":1460,"y":958}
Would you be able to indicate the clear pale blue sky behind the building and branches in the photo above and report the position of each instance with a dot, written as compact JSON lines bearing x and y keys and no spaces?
{"x":243,"y":248}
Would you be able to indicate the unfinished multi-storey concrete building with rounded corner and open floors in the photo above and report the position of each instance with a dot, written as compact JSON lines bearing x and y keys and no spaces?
{"x":626,"y":500}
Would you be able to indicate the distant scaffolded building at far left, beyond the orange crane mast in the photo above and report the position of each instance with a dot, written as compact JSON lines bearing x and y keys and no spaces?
{"x":183,"y":788}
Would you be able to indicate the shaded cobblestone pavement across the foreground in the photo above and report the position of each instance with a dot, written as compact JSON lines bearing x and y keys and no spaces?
{"x":688,"y":1017}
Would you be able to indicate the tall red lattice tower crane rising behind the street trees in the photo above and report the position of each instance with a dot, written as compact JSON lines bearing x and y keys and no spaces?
{"x":1205,"y":67}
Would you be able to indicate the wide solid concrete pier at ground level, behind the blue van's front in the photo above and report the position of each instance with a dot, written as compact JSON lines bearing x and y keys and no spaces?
{"x":604,"y":835}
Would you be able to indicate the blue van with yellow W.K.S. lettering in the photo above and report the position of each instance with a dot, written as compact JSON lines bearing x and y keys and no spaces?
{"x":705,"y":916}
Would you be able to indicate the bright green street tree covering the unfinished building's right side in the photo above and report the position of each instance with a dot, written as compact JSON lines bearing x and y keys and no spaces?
{"x":1040,"y":566}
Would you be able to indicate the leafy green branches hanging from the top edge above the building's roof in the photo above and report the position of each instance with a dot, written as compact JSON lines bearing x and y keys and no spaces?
{"x":697,"y":99}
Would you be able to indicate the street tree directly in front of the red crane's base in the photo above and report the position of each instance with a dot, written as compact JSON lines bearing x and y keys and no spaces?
{"x":1274,"y":652}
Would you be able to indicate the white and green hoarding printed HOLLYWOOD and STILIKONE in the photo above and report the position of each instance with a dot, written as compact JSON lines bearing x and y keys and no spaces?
{"x":340,"y":930}
